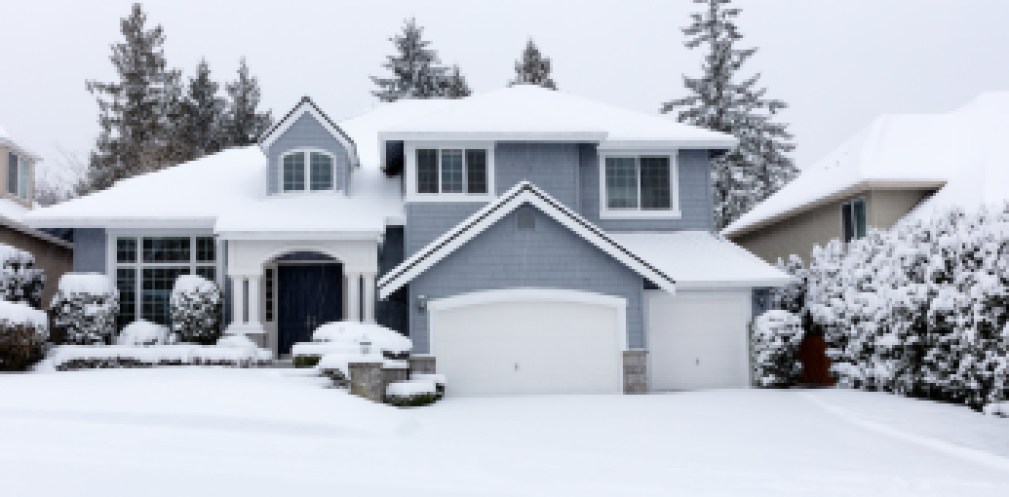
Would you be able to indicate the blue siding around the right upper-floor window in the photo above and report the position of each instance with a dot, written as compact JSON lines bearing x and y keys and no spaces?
{"x":696,"y":195}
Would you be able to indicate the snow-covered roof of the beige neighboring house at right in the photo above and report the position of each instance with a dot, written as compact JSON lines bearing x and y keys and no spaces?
{"x":960,"y":154}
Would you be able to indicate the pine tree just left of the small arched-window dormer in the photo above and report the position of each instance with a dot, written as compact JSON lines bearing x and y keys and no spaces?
{"x":243,"y":122}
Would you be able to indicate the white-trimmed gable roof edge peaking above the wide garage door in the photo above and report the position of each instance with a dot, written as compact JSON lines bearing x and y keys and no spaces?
{"x":522,"y":194}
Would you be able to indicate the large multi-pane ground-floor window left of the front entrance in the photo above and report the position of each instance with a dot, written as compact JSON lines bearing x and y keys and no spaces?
{"x":146,"y":269}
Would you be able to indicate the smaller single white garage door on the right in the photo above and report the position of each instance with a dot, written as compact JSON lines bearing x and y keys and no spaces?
{"x":699,"y":340}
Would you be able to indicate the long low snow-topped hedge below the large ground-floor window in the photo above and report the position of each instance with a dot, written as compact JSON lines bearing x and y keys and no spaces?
{"x":75,"y":357}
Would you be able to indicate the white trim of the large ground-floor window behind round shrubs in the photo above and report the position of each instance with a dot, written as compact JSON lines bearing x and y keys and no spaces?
{"x":113,"y":265}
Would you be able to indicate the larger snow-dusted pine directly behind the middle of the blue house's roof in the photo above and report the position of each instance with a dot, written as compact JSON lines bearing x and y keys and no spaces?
{"x":416,"y":70}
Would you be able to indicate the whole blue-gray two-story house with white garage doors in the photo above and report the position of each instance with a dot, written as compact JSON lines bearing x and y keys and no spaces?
{"x":530,"y":240}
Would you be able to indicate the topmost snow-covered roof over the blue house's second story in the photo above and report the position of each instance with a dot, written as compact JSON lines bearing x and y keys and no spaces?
{"x":530,"y":112}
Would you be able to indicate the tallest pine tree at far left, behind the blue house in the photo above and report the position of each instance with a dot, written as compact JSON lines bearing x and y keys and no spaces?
{"x":135,"y":112}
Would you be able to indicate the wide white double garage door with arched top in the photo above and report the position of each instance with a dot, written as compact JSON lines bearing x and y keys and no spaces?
{"x":529,"y":341}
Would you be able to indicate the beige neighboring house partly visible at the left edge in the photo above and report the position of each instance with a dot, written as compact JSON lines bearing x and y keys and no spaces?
{"x":18,"y":193}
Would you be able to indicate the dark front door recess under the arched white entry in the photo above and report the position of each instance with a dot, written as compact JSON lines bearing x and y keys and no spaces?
{"x":301,"y":292}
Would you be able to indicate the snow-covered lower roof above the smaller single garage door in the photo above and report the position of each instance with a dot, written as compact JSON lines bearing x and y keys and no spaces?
{"x":698,"y":260}
